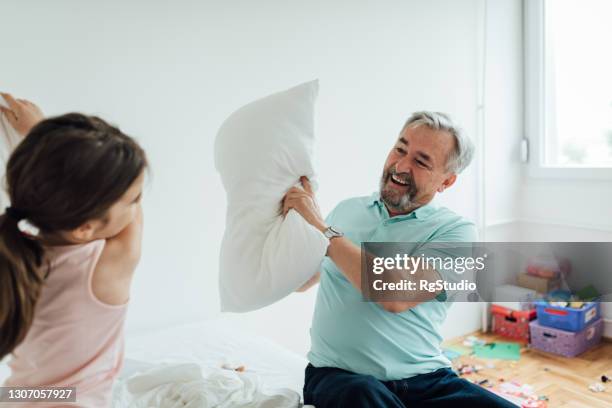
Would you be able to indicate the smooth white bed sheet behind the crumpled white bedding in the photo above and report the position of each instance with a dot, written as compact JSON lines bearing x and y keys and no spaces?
{"x":212,"y":344}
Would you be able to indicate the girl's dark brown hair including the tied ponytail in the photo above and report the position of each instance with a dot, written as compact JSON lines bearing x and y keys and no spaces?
{"x":68,"y":170}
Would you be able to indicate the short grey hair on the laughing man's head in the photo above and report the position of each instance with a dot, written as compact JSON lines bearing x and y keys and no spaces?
{"x":463,"y":153}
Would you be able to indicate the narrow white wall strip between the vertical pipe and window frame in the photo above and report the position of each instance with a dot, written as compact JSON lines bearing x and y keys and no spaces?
{"x":503,"y":110}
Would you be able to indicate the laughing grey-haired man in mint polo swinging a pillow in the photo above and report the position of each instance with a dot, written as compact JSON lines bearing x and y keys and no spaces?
{"x":387,"y":353}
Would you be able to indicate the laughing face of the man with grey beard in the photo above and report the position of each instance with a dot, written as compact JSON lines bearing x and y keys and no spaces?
{"x":416,"y":168}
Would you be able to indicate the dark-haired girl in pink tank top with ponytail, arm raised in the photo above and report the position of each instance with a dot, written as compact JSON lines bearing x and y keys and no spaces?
{"x":69,"y":243}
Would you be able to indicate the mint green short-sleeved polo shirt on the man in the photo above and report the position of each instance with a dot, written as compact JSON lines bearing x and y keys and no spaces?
{"x":362,"y":337}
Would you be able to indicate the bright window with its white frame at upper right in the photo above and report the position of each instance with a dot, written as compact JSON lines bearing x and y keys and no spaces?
{"x":569,"y":87}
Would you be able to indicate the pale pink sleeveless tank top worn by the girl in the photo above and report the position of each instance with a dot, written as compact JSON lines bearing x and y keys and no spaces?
{"x":75,"y":339}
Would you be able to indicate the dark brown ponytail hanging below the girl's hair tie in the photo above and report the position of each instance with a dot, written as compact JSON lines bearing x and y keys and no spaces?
{"x":21,"y":277}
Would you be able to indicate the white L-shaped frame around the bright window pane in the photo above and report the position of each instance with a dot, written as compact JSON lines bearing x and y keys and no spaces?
{"x":534,"y":96}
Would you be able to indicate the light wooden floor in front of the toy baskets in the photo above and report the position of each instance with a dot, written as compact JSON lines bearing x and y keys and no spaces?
{"x":564,"y":381}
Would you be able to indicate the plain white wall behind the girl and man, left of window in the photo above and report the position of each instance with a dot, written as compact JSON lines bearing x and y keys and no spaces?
{"x":170,"y":72}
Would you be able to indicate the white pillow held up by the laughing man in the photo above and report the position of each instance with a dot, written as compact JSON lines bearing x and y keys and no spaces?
{"x":261,"y":151}
